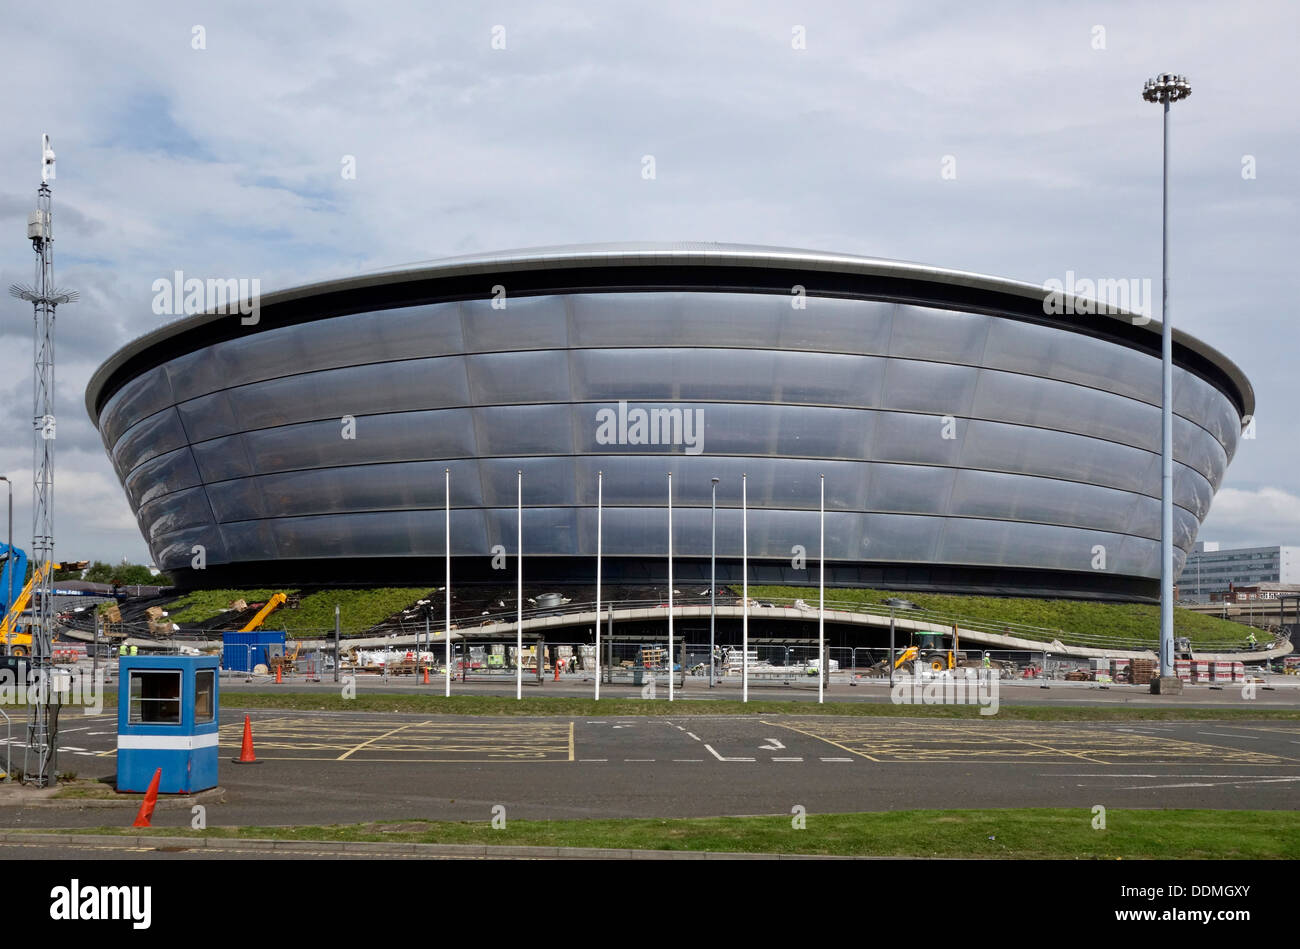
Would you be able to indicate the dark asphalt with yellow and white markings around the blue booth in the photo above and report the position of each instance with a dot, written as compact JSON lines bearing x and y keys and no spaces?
{"x":346,"y":768}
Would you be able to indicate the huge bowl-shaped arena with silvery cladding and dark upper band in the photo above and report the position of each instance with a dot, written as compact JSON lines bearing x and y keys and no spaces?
{"x":969,"y":440}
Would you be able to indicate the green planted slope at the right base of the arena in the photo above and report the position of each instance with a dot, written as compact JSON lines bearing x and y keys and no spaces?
{"x":1074,"y":617}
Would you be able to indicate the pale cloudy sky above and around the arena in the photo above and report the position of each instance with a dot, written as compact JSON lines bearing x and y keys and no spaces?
{"x":211,"y":138}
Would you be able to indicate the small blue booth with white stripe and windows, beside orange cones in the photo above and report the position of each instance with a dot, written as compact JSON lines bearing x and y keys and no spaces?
{"x":167,"y":718}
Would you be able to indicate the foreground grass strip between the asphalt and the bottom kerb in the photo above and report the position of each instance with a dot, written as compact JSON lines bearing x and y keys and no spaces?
{"x":1020,"y":834}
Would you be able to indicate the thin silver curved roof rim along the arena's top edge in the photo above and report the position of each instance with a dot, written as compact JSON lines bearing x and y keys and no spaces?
{"x":691,"y":254}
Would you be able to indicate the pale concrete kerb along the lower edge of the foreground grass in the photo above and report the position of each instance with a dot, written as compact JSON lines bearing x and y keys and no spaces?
{"x":392,"y":850}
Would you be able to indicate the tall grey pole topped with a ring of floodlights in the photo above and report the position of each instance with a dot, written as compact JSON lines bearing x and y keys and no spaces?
{"x":1167,"y":89}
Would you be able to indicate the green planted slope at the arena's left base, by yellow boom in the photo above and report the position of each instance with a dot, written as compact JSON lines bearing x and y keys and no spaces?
{"x":359,"y":609}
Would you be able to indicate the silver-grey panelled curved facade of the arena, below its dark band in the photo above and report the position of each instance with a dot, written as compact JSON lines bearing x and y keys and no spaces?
{"x":946,"y":437}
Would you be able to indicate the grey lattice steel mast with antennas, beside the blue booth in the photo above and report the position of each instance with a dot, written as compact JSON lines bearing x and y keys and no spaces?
{"x":40,"y":766}
